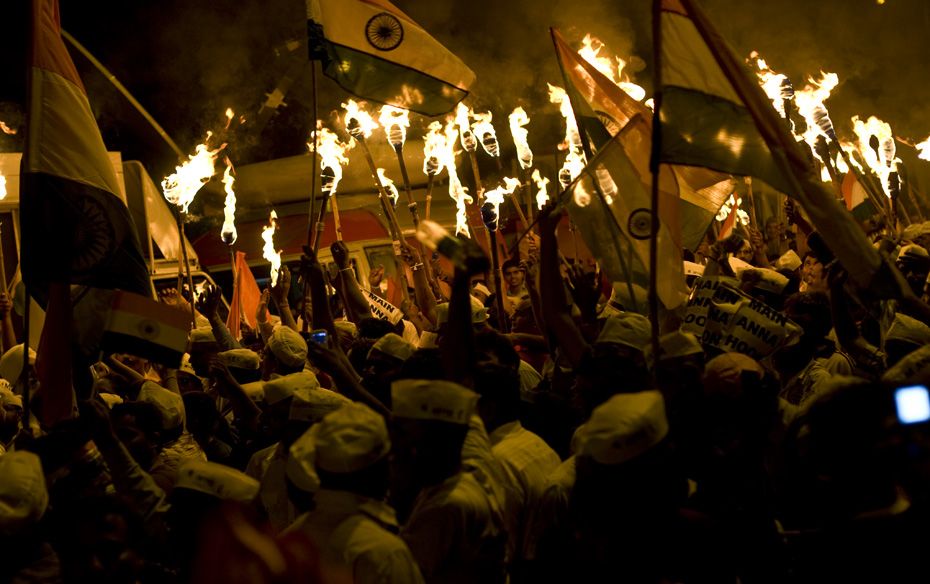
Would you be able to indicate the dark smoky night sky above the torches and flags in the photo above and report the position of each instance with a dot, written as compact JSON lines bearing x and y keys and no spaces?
{"x":186,"y":61}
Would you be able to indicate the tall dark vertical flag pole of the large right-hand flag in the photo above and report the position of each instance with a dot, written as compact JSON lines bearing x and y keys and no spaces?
{"x":654,"y":167}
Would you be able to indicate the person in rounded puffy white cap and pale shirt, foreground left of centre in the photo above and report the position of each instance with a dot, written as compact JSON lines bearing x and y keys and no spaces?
{"x":352,"y":525}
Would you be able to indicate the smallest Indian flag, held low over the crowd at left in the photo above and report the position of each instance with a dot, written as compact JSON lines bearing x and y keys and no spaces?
{"x":143,"y":327}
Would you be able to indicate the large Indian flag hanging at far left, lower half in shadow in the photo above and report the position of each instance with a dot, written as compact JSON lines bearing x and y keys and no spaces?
{"x":75,"y":227}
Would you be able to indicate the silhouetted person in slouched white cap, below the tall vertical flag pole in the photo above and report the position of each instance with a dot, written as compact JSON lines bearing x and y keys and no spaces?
{"x":625,"y":500}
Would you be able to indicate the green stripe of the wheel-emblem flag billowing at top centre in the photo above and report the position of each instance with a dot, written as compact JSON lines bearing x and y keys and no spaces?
{"x":376,"y":79}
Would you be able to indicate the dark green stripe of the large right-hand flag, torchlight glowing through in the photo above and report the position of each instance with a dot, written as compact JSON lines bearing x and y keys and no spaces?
{"x":705,"y":130}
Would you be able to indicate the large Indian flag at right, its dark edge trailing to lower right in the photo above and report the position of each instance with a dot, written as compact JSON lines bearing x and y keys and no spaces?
{"x":711,"y":114}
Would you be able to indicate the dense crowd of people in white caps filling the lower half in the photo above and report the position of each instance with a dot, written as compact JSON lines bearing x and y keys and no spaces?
{"x":539,"y":439}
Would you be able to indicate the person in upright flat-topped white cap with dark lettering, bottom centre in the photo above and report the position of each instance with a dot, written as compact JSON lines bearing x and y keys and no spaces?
{"x":452,"y":530}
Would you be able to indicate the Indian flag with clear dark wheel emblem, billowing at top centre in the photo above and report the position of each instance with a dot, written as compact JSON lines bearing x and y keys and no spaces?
{"x":375,"y":51}
